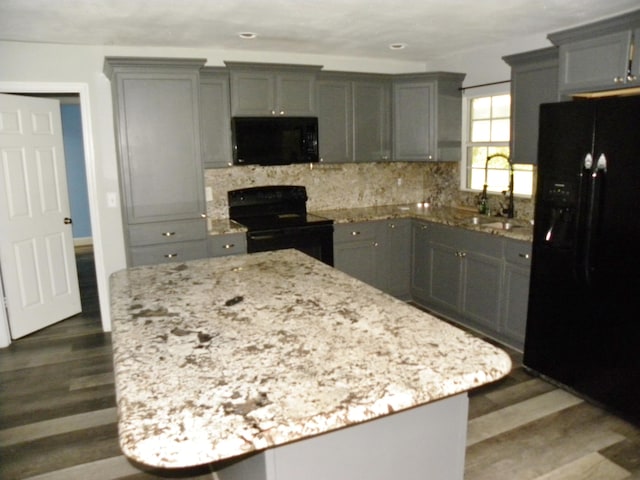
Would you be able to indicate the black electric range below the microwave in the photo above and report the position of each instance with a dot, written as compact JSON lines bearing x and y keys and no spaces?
{"x":276,"y":218}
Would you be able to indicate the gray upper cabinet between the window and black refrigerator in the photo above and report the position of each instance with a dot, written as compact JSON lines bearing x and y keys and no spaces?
{"x":534,"y":80}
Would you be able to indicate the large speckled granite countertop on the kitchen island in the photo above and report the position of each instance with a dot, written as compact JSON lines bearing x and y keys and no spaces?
{"x":219,"y":357}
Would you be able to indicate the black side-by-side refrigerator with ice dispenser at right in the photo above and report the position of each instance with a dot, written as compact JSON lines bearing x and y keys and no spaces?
{"x":583,"y":324}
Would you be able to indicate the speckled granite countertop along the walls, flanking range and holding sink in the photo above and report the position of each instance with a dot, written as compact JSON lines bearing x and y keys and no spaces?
{"x":452,"y":216}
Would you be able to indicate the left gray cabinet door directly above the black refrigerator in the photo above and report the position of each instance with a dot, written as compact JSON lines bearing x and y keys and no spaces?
{"x":595,"y":63}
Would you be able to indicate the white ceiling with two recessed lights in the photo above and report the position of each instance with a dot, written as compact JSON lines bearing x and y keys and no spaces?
{"x":431,"y":29}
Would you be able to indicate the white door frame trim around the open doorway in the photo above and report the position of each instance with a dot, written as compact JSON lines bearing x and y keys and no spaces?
{"x":82,"y":90}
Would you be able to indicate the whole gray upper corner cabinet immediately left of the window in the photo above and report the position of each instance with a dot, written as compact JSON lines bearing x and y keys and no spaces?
{"x":427,"y":116}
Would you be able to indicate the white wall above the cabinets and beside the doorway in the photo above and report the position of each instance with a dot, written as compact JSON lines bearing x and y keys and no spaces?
{"x":31,"y":63}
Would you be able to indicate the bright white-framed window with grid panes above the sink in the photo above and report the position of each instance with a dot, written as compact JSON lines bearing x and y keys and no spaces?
{"x":487,"y":132}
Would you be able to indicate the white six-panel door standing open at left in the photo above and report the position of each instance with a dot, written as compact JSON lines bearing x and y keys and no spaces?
{"x":36,"y":245}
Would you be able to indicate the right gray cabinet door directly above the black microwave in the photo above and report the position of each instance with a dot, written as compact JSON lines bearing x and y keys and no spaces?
{"x":295,"y":94}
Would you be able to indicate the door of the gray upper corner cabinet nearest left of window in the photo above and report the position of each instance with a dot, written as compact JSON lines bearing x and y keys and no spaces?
{"x":413,"y":121}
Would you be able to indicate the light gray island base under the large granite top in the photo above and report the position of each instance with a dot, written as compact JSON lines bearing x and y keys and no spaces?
{"x":428,"y":441}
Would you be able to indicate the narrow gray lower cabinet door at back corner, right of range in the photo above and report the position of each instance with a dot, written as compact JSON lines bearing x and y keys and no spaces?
{"x":395,"y":268}
